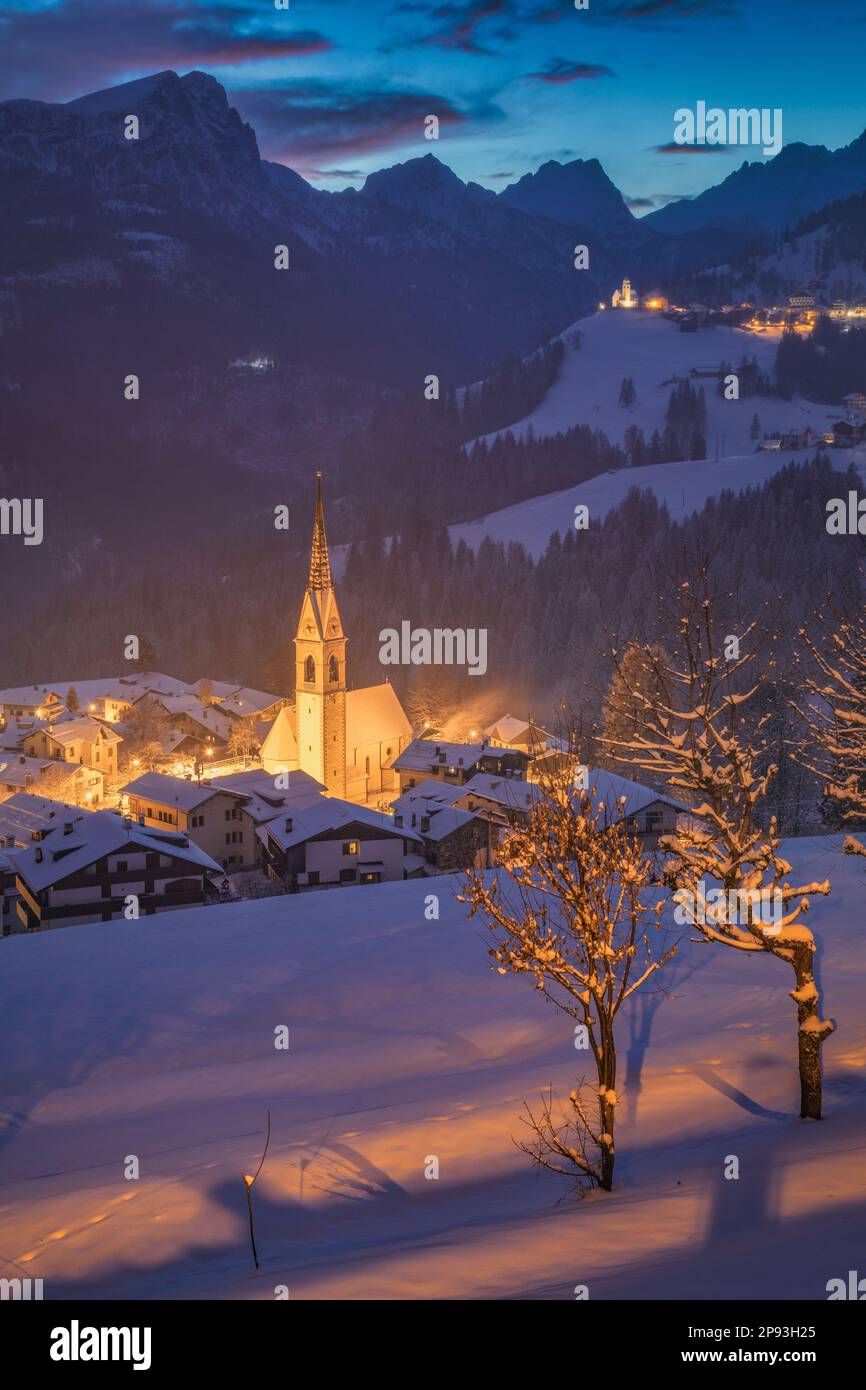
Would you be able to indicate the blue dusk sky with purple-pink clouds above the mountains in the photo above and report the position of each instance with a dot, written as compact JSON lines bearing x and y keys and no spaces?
{"x":338,"y":88}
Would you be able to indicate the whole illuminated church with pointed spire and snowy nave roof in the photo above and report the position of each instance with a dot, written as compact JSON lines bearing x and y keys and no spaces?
{"x":345,"y":739}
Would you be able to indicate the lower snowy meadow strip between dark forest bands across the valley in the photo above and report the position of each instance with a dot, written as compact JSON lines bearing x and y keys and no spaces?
{"x":682,"y":487}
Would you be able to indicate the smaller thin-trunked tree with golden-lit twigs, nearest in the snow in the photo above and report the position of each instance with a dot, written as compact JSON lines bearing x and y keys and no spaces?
{"x":571,"y":913}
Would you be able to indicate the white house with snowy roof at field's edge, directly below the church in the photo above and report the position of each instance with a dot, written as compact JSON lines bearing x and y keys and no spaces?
{"x":336,"y":842}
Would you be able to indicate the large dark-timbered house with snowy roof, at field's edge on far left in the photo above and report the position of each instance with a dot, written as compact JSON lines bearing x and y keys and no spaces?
{"x":99,"y":868}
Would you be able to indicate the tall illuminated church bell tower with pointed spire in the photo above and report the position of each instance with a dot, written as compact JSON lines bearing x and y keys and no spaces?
{"x":320,"y":671}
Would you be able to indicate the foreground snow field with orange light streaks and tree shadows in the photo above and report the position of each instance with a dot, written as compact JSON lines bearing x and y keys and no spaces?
{"x":156,"y":1039}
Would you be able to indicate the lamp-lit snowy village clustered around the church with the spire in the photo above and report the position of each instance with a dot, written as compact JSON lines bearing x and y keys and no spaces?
{"x":137,"y":794}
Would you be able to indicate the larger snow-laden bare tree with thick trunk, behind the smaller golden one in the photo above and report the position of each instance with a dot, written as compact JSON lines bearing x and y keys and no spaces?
{"x":705,"y":744}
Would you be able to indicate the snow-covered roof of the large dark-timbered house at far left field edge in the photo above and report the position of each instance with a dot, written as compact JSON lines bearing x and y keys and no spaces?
{"x":98,"y":835}
